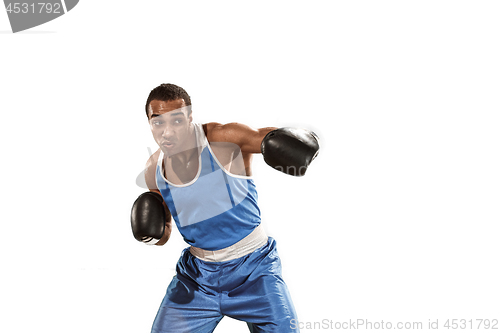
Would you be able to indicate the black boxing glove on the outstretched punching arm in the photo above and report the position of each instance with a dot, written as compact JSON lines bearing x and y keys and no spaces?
{"x":290,"y":150}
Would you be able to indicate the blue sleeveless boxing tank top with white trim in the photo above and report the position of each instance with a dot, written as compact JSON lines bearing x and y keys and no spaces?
{"x":214,"y":210}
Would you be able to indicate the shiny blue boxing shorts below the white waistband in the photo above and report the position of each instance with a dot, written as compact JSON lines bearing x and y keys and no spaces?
{"x":249,"y":288}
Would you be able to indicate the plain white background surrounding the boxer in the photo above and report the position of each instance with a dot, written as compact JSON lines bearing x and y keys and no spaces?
{"x":396,"y":220}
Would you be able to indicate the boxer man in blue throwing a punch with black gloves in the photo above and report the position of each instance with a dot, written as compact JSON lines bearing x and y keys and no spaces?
{"x":201,"y":177}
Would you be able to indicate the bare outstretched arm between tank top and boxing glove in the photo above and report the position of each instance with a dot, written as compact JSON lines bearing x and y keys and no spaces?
{"x":246,"y":137}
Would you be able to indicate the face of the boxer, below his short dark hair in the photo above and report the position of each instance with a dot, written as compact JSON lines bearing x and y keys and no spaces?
{"x":171,"y":125}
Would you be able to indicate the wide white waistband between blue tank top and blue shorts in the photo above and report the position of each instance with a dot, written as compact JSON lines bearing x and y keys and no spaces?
{"x":257,"y":238}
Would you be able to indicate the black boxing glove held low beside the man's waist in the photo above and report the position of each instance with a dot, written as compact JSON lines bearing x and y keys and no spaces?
{"x":148,"y":218}
